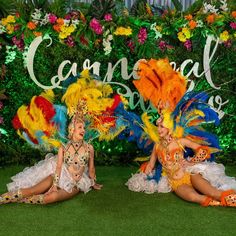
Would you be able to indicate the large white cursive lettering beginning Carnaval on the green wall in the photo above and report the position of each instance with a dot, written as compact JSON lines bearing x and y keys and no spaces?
{"x":134,"y":97}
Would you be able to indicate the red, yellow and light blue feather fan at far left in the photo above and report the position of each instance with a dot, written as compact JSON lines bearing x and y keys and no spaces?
{"x":41,"y":123}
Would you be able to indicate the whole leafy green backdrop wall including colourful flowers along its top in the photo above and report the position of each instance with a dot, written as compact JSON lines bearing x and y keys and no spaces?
{"x":201,"y":42}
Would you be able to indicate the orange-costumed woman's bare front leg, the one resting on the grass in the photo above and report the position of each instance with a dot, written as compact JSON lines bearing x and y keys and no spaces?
{"x":188,"y":193}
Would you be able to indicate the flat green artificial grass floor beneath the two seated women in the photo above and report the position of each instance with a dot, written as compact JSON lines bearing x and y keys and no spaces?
{"x":115,"y":211}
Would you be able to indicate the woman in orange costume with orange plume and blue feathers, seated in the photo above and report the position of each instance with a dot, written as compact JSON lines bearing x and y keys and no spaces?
{"x":193,"y":179}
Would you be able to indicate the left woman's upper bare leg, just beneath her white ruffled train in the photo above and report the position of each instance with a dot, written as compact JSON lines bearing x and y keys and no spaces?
{"x":39,"y":188}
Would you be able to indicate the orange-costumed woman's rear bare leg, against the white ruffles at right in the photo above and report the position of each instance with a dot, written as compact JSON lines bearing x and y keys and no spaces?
{"x":203,"y":186}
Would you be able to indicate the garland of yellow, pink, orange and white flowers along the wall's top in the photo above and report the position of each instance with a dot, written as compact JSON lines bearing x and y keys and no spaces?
{"x":75,"y":28}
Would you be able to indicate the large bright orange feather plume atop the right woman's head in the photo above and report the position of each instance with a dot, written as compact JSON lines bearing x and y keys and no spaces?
{"x":159,"y":83}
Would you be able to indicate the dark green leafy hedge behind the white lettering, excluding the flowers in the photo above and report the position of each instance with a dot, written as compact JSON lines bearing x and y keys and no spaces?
{"x":19,"y":88}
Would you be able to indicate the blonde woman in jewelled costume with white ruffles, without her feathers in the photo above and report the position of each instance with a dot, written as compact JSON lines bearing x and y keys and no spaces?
{"x":58,"y":177}
